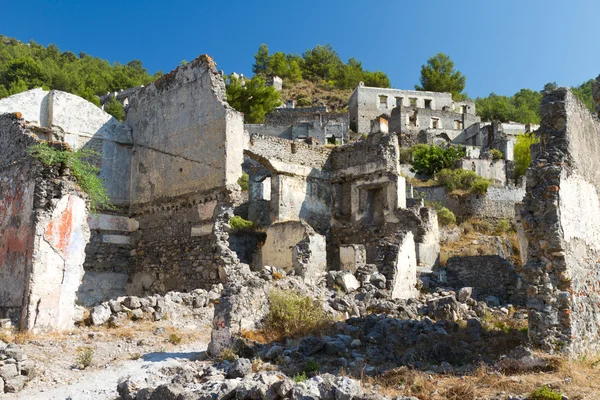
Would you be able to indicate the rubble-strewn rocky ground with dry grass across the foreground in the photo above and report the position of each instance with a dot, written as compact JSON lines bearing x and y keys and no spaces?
{"x":443,"y":345}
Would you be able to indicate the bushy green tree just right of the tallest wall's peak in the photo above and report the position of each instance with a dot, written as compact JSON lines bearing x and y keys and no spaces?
{"x":254,"y":99}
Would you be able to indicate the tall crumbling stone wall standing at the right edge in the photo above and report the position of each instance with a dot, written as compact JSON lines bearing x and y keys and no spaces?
{"x":561,"y":220}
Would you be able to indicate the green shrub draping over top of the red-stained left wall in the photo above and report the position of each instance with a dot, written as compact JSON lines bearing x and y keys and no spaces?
{"x":84,"y":172}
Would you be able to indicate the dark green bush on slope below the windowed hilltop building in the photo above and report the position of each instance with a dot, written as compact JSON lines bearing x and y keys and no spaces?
{"x":429,"y":159}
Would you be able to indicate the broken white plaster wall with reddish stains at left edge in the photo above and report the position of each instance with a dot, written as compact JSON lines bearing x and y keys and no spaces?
{"x":43,"y":234}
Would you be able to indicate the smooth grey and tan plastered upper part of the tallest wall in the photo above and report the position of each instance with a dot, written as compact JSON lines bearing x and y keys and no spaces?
{"x":186,"y":137}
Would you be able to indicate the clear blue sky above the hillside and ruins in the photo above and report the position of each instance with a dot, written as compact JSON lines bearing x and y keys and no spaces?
{"x":501,"y":46}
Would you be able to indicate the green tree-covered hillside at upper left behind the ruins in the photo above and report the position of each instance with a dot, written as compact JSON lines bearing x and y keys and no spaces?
{"x":25,"y":66}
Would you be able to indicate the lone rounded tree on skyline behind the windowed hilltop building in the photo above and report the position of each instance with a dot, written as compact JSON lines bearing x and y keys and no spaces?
{"x":439,"y":75}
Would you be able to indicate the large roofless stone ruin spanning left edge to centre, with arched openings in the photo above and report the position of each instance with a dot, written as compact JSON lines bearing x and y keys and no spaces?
{"x":171,"y":170}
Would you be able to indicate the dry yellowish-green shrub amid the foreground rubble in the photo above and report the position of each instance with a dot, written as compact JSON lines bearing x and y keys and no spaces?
{"x":293,"y":315}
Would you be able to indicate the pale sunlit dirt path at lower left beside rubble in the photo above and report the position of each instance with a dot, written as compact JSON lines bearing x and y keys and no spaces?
{"x":101,"y":384}
